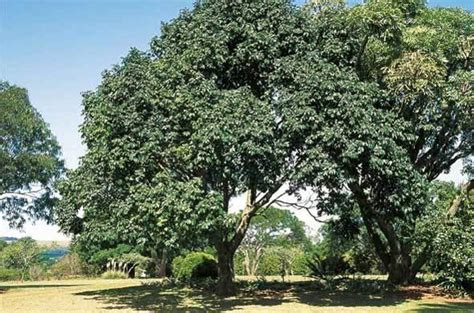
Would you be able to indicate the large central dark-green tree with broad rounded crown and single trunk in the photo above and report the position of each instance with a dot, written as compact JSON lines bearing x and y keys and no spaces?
{"x":175,"y":134}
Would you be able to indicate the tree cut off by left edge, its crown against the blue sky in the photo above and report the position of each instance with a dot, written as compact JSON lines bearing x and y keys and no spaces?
{"x":29,"y":159}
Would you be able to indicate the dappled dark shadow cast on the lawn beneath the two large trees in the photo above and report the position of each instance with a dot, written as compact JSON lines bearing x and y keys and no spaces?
{"x":177,"y":299}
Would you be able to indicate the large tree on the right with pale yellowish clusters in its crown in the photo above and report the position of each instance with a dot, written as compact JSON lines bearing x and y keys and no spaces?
{"x":382,"y":161}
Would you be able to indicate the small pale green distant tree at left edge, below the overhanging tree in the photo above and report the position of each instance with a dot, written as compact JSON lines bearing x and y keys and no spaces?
{"x":21,"y":255}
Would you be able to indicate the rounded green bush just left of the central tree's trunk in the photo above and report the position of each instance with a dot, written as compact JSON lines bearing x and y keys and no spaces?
{"x":195,"y":265}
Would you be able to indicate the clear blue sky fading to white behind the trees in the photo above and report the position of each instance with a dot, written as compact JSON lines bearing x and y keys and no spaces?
{"x":57,"y":49}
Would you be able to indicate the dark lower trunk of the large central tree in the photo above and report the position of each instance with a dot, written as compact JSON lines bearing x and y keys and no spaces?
{"x":225,"y":267}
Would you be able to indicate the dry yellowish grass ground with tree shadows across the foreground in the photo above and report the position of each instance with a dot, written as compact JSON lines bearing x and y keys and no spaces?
{"x":131,"y":295}
